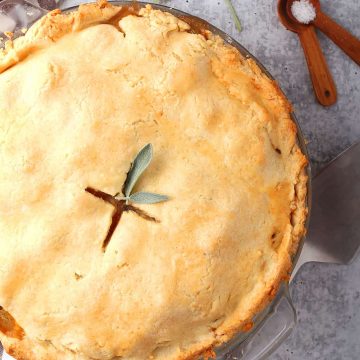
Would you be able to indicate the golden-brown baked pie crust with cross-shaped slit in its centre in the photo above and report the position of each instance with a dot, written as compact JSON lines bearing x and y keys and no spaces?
{"x":80,"y":95}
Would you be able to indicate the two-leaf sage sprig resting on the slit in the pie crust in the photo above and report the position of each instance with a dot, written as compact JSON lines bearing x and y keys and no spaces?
{"x":137,"y":167}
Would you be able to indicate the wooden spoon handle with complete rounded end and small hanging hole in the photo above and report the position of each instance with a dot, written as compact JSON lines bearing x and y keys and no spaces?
{"x":321,"y":78}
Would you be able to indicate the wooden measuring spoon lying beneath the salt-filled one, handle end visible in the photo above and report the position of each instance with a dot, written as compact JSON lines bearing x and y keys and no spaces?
{"x":323,"y":83}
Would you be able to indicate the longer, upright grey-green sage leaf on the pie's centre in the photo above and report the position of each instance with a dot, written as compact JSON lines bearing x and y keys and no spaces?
{"x":138,"y":166}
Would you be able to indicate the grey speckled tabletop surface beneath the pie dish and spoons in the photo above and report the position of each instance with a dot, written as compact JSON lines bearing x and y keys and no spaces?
{"x":327,"y":297}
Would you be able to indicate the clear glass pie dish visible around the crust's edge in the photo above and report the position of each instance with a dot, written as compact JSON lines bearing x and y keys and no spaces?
{"x":275,"y":322}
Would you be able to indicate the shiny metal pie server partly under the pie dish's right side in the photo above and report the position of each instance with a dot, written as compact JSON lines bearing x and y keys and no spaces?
{"x":334,"y":231}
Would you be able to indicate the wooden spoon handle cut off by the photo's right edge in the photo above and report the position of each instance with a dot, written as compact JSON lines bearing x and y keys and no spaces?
{"x":341,"y":37}
